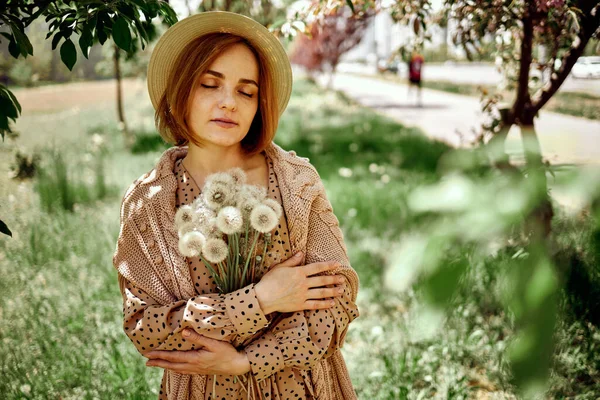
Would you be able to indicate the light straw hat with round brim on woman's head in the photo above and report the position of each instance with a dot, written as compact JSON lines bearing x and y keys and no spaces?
{"x":177,"y":37}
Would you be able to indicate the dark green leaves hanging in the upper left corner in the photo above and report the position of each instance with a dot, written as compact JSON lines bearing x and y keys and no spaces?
{"x":93,"y":21}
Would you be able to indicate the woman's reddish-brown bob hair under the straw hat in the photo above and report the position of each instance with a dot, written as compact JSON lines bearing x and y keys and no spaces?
{"x":192,"y":63}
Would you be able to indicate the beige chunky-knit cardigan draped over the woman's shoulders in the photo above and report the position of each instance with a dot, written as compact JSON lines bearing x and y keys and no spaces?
{"x":147,"y":253}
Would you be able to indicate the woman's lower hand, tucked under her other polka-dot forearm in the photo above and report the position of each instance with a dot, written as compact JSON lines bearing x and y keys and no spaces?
{"x":215,"y":358}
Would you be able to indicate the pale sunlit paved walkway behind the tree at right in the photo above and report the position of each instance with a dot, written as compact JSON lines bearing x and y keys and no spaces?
{"x":445,"y":116}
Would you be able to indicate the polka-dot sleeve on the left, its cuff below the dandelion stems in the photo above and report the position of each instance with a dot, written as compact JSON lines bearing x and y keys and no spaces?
{"x":152,"y":325}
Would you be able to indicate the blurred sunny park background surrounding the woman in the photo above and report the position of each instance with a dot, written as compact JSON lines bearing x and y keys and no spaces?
{"x":458,"y":142}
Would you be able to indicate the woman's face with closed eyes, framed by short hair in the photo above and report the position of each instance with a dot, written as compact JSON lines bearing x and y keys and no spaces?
{"x":224,"y":104}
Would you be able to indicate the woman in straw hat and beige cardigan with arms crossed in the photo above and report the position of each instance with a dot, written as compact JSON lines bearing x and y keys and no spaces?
{"x":219,"y":82}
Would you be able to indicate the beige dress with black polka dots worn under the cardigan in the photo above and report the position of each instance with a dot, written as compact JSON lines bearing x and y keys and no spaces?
{"x":283,"y":348}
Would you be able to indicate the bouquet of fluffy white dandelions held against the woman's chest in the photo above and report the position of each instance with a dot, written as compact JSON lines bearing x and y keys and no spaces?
{"x":227,"y":226}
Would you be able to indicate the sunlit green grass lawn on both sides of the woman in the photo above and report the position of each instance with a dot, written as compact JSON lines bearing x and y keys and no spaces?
{"x":60,"y":313}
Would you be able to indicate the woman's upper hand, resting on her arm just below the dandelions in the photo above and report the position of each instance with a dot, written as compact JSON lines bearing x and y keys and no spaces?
{"x":288,"y":287}
